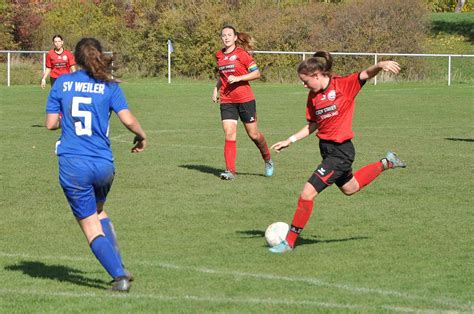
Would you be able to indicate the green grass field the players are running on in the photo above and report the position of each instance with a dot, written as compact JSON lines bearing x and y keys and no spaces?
{"x":195,"y":243}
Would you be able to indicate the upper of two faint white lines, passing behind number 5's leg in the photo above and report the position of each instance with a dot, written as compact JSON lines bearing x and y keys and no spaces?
{"x":311,"y":281}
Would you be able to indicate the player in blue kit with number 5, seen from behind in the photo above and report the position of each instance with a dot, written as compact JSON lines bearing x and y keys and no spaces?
{"x":85,"y":99}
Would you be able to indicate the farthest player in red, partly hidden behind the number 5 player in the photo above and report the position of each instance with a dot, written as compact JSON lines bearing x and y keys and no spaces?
{"x":58,"y":61}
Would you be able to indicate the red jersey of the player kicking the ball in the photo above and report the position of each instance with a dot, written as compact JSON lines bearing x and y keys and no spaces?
{"x":332,"y":109}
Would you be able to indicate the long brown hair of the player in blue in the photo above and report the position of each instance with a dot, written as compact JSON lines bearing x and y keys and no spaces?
{"x":89,"y":56}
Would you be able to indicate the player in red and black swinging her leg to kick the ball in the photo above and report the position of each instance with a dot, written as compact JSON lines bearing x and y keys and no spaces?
{"x":329,"y":110}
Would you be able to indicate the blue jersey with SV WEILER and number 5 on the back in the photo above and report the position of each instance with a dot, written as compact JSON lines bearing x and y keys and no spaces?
{"x":85,"y":104}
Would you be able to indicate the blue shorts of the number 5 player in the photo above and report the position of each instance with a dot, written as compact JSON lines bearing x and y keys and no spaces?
{"x":85,"y":182}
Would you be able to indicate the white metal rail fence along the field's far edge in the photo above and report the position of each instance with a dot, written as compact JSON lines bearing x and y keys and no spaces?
{"x":303,"y":54}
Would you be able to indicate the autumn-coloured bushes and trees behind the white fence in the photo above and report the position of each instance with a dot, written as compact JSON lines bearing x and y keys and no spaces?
{"x":137,"y":31}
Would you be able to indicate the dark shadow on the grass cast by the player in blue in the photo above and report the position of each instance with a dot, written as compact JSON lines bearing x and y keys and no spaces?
{"x":60,"y":273}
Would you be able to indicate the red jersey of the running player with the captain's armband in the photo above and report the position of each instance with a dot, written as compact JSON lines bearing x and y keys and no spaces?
{"x":238,"y":62}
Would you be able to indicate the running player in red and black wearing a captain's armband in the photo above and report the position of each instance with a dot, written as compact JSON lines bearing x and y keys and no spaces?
{"x":236,"y":69}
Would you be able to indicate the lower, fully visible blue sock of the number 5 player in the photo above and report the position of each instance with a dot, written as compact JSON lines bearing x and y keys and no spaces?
{"x":105,"y":253}
